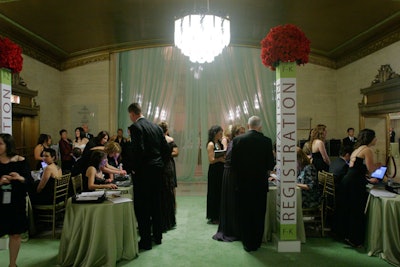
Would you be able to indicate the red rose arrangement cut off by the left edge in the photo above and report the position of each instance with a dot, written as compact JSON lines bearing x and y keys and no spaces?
{"x":10,"y":55}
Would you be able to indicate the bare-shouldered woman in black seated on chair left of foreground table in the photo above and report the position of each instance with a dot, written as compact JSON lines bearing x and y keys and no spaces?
{"x":44,"y":191}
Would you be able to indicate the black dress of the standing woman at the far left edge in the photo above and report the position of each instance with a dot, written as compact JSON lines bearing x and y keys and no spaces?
{"x":13,"y":216}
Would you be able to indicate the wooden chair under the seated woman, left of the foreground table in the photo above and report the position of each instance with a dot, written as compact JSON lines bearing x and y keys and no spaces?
{"x":49,"y":213}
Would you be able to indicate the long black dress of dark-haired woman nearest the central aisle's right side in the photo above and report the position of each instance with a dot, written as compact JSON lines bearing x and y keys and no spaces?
{"x":214,"y":185}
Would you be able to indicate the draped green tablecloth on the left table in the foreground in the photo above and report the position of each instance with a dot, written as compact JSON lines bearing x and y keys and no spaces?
{"x":98,"y":234}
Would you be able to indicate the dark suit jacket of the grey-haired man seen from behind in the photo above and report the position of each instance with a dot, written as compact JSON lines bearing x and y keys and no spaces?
{"x":252,"y":159}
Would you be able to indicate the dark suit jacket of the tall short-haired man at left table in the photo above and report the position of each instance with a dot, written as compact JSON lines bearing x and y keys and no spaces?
{"x":150,"y":149}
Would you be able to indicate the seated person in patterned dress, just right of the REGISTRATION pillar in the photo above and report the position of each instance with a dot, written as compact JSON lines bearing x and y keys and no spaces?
{"x":307,"y":180}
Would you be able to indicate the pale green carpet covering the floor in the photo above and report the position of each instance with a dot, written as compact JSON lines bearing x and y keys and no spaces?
{"x":190,"y":244}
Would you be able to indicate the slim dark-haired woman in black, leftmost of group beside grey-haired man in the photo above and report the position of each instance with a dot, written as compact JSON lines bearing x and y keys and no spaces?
{"x":215,"y":173}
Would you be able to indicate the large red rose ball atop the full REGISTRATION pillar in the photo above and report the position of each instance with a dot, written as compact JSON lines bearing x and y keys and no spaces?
{"x":284,"y":43}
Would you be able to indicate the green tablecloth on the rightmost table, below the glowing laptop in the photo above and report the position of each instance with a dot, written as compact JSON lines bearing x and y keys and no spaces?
{"x":383,"y":230}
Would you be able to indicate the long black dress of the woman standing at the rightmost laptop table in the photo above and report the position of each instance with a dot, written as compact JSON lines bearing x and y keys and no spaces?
{"x":352,"y":198}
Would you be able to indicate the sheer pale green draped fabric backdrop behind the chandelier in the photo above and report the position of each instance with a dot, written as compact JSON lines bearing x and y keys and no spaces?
{"x":192,"y":97}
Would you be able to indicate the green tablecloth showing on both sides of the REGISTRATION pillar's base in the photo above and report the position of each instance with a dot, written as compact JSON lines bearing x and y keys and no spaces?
{"x":270,"y":216}
